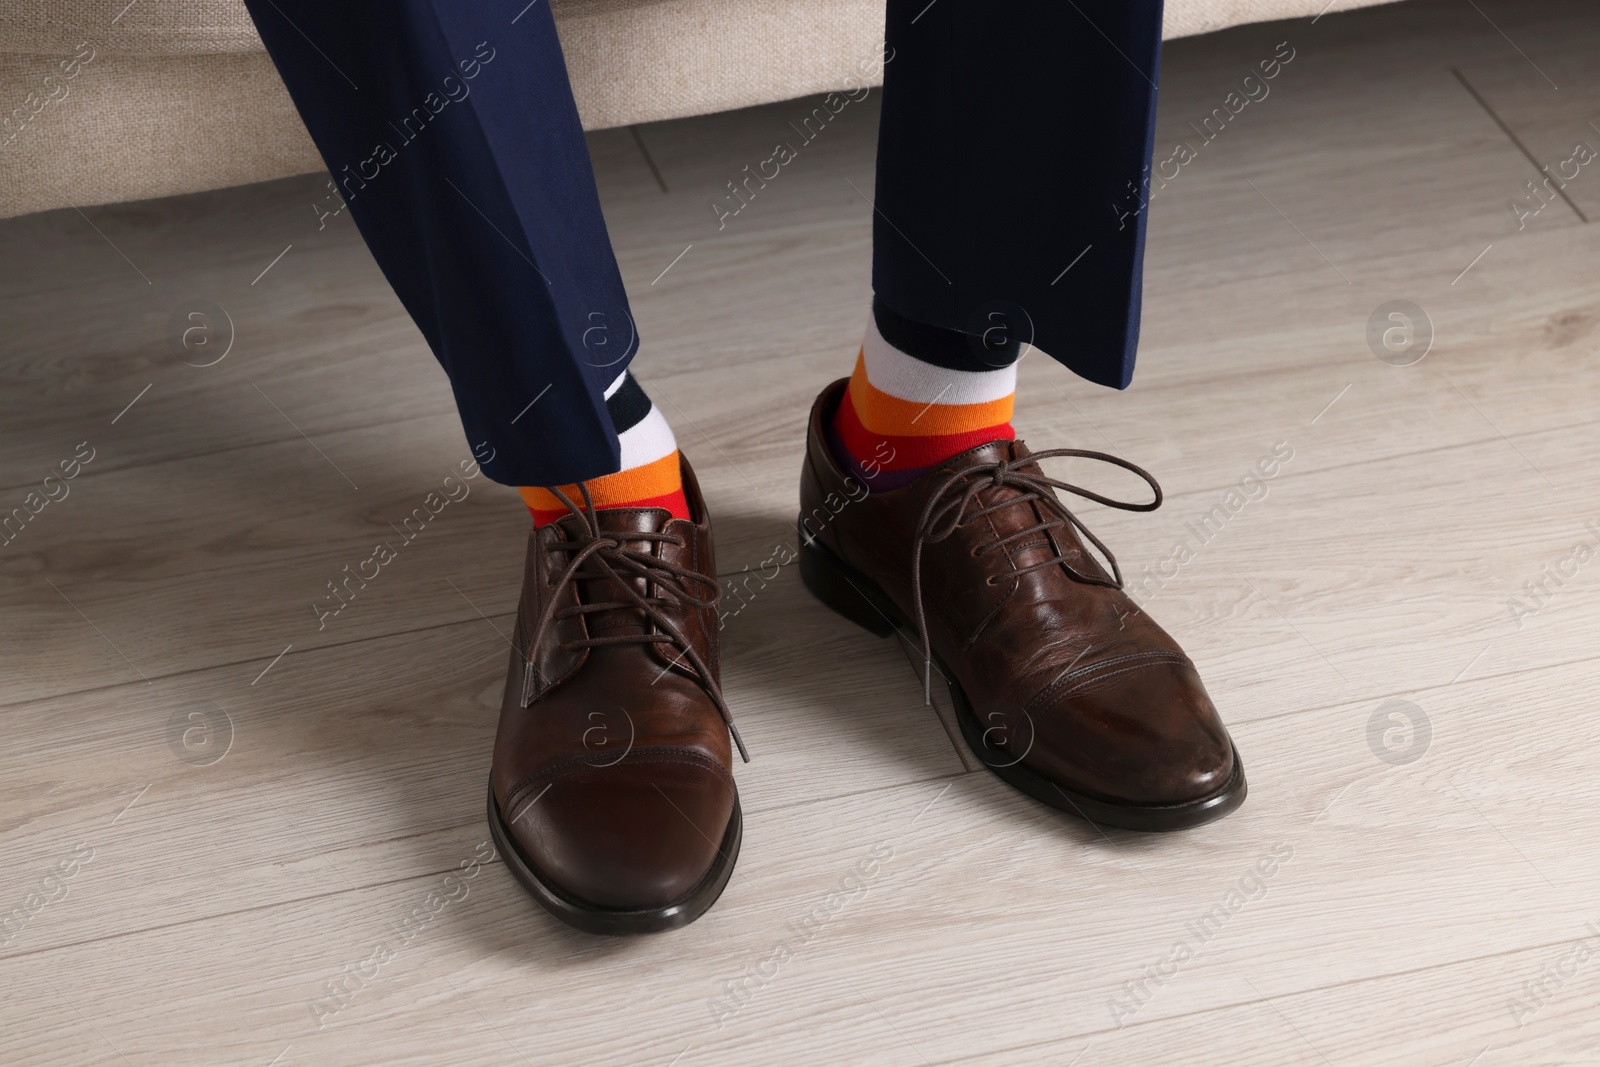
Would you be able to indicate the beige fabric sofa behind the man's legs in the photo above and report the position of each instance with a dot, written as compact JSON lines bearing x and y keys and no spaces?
{"x":108,"y":100}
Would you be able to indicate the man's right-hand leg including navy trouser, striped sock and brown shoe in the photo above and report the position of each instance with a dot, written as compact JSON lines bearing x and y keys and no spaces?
{"x":1010,"y":140}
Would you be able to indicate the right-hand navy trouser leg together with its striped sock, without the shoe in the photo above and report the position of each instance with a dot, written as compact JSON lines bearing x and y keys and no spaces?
{"x":1007,"y":154}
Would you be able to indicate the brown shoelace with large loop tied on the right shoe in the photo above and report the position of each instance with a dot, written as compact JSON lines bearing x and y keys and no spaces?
{"x":948,"y":511}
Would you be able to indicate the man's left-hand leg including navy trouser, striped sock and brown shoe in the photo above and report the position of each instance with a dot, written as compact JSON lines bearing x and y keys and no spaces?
{"x":452,"y":132}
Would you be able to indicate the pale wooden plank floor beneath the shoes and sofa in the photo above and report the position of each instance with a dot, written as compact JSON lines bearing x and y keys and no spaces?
{"x":214,"y":810}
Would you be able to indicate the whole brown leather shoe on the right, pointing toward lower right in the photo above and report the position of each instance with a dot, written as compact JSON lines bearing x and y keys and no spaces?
{"x":1063,"y":687}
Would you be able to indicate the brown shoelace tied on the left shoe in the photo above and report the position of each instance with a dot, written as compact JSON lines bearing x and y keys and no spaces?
{"x":606,"y":556}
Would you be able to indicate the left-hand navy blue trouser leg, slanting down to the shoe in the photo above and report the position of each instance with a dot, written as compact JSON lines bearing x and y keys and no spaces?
{"x":455,"y":142}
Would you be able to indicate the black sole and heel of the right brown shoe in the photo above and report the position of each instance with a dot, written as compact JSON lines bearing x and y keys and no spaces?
{"x":857,"y":597}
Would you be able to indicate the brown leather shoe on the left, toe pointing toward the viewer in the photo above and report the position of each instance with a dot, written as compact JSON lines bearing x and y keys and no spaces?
{"x":612,"y":796}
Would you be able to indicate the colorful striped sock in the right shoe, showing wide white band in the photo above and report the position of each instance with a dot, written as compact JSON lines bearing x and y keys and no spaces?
{"x":919,"y":396}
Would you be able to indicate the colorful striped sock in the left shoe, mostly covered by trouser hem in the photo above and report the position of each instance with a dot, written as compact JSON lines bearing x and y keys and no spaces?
{"x":650,"y":476}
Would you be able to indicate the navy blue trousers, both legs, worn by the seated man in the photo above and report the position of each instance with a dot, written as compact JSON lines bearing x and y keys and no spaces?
{"x":1014,"y":145}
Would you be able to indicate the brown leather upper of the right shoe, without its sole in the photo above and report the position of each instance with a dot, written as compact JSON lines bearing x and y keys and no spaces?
{"x":1068,"y":677}
